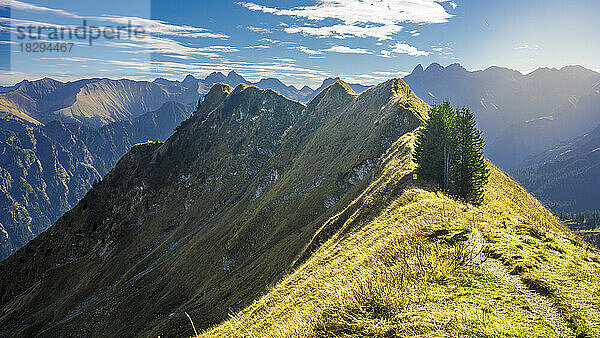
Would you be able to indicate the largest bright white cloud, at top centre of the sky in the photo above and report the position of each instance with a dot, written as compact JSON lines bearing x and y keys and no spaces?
{"x":362,"y":18}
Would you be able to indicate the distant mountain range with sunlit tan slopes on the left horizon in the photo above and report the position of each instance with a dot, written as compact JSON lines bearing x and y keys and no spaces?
{"x":96,"y":102}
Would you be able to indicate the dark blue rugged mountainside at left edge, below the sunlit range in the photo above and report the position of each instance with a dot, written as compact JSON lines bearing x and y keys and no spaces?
{"x":44,"y":171}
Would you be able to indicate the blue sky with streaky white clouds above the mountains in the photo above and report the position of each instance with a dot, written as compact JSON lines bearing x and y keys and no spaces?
{"x":302,"y":42}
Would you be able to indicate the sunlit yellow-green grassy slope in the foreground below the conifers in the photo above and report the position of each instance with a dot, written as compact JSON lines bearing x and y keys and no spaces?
{"x":405,"y":269}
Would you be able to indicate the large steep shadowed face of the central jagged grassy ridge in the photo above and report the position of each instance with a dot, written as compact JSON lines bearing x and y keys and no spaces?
{"x":205,"y":221}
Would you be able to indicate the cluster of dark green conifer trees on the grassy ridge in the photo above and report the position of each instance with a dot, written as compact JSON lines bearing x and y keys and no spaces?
{"x":449,"y":152}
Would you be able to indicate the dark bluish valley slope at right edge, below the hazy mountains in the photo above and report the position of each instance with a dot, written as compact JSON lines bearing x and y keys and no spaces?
{"x":566,"y":177}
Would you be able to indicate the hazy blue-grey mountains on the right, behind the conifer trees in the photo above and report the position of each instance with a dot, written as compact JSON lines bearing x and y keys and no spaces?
{"x":519,"y":114}
